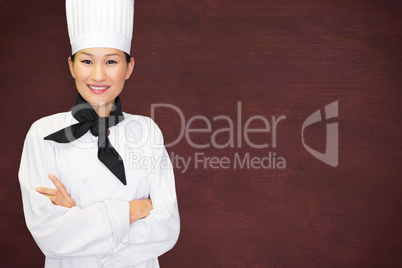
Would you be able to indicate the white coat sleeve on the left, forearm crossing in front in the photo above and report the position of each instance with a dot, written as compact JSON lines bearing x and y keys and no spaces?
{"x":65,"y":232}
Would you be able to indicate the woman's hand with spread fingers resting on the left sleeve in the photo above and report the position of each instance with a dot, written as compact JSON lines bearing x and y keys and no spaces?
{"x":58,"y":197}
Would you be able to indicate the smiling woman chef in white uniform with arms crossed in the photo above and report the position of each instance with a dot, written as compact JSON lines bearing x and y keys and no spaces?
{"x":97,"y":183}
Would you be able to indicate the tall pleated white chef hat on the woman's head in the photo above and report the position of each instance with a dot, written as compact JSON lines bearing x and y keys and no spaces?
{"x":100,"y":23}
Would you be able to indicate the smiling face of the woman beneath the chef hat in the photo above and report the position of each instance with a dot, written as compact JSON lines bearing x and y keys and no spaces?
{"x":100,"y":74}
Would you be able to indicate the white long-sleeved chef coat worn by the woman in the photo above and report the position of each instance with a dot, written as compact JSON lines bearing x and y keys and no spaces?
{"x":96,"y":232}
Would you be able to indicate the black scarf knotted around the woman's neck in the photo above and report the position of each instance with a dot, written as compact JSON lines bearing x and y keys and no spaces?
{"x":89,"y":120}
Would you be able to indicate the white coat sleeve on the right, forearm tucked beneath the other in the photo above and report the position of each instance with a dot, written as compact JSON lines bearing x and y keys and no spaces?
{"x":156,"y":234}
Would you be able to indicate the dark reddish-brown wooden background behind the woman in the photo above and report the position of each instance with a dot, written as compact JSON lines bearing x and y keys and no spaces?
{"x":277,"y":58}
